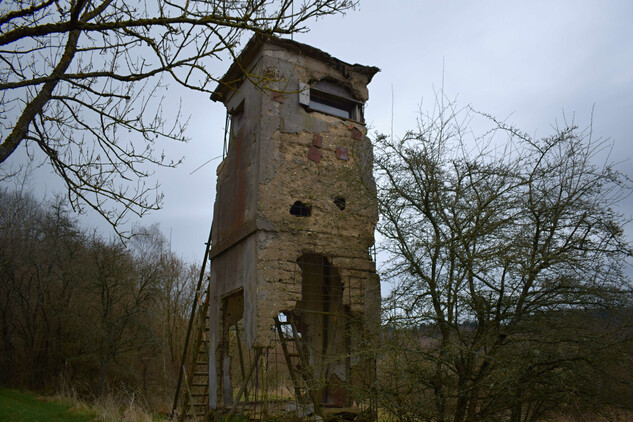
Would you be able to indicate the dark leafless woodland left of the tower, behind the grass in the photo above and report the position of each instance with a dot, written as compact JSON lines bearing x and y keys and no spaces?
{"x":81,"y":311}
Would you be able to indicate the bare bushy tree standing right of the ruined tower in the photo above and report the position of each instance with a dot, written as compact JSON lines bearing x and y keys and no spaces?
{"x":507,"y":259}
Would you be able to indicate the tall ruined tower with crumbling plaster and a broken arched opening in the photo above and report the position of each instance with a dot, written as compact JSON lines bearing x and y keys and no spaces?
{"x":294,"y":297}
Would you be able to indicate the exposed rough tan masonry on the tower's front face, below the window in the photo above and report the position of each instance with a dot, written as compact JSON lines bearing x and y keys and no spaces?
{"x":344,"y":236}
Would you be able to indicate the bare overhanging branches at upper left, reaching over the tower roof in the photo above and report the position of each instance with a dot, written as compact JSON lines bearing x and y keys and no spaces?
{"x":81,"y":81}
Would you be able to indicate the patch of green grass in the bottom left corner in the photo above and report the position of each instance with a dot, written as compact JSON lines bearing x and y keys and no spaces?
{"x":23,"y":407}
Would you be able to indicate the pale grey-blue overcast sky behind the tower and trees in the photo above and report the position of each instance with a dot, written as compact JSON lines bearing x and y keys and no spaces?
{"x":527,"y":62}
